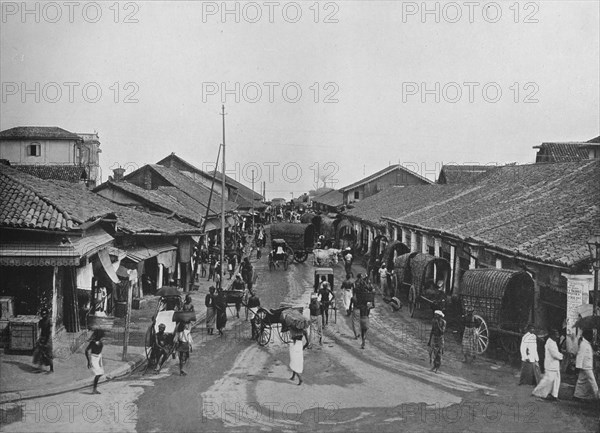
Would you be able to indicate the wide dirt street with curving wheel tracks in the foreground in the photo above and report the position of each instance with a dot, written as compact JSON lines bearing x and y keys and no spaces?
{"x":235,"y":385}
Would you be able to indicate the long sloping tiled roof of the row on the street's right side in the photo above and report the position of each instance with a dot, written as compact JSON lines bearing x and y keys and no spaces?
{"x":545,"y":212}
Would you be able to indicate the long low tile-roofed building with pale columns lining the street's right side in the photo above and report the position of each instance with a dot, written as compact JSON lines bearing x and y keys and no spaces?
{"x":534,"y":217}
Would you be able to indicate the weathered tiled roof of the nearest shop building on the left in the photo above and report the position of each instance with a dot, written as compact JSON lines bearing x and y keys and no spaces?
{"x":31,"y":202}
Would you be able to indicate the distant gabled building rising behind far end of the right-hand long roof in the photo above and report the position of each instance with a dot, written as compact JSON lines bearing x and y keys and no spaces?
{"x":394,"y":175}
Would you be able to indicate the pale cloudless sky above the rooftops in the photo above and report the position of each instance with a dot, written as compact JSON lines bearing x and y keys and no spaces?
{"x":313,"y":91}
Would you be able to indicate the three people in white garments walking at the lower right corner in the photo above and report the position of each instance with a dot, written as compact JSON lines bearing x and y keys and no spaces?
{"x":548,"y":384}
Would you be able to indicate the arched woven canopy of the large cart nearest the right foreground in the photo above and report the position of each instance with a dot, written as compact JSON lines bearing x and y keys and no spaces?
{"x":503,"y":297}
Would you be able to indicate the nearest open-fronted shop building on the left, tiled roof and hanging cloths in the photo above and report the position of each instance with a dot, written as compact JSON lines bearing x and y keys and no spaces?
{"x":61,"y":243}
